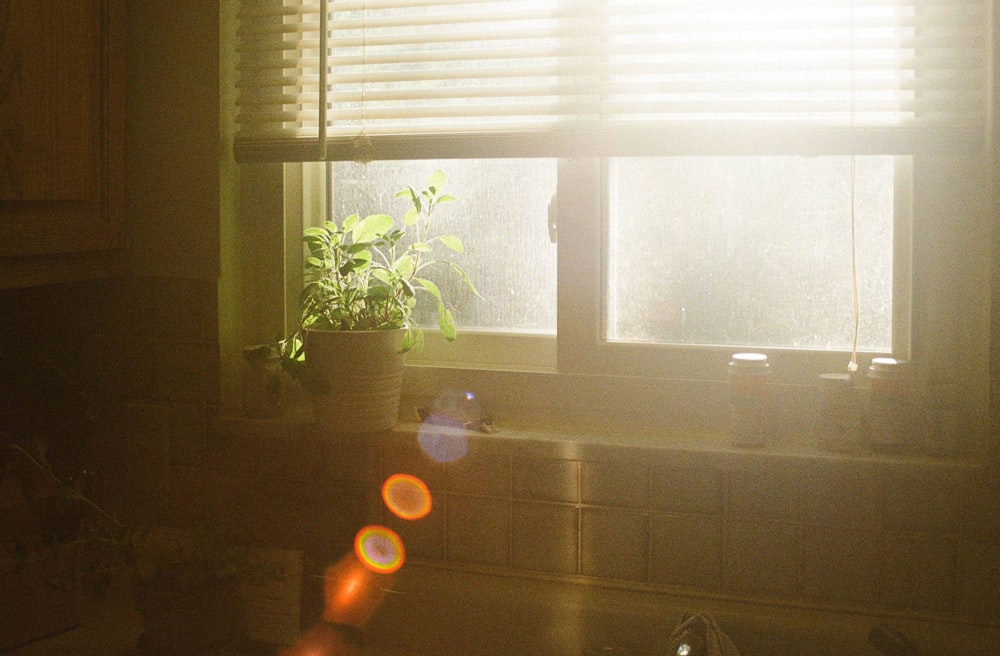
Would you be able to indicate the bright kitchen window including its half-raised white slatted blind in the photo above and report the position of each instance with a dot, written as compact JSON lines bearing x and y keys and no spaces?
{"x":708,"y":163}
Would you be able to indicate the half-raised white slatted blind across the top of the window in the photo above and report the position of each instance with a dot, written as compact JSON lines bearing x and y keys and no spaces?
{"x":384,"y":79}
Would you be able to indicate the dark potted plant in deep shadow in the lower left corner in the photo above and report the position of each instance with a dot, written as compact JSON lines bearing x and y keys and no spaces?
{"x":185,"y":565}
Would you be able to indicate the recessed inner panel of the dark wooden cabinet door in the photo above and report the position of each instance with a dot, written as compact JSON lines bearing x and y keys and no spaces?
{"x":49,"y":105}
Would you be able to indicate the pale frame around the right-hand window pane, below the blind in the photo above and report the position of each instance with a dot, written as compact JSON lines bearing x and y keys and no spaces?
{"x":583,"y":303}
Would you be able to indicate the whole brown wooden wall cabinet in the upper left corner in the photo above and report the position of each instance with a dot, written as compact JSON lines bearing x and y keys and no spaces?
{"x":62,"y":113}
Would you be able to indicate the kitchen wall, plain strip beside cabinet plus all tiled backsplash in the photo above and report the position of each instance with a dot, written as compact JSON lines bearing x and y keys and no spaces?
{"x":145,"y":351}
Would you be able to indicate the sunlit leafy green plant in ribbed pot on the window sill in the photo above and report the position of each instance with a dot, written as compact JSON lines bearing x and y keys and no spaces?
{"x":364,"y":279}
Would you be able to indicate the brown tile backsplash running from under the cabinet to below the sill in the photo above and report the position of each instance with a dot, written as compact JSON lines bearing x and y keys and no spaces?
{"x":878,"y":533}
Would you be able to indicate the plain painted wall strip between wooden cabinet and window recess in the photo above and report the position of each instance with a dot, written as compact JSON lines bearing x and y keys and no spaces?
{"x":173,"y":139}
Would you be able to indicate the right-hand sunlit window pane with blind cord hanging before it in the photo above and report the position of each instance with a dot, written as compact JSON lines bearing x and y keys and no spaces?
{"x":752,"y":251}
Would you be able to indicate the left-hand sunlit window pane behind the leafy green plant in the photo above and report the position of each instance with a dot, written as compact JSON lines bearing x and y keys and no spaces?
{"x":501,"y":216}
